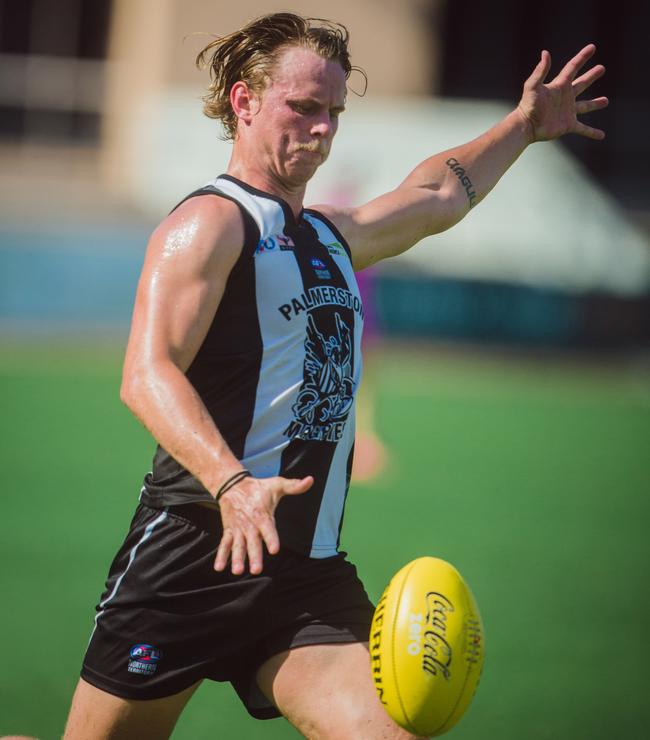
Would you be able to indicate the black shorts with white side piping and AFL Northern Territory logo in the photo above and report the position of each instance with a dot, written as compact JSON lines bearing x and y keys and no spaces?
{"x":167,"y":619}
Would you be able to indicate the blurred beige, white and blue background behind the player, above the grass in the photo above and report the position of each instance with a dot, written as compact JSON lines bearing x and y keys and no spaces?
{"x":101,"y":133}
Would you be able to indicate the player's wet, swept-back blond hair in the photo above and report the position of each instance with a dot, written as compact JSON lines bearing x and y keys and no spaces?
{"x":251,"y":53}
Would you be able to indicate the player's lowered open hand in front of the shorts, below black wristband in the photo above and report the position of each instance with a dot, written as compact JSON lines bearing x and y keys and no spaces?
{"x":247,"y":515}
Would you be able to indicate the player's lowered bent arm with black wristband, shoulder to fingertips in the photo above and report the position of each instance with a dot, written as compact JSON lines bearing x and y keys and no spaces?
{"x":188,"y":261}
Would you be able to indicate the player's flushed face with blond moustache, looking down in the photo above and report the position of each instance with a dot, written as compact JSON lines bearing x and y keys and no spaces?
{"x":297,"y":115}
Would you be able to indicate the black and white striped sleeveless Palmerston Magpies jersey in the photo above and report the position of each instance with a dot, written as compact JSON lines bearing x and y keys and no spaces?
{"x":279,"y":367}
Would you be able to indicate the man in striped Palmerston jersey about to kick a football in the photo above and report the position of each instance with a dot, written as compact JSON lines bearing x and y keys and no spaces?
{"x":243,"y":360}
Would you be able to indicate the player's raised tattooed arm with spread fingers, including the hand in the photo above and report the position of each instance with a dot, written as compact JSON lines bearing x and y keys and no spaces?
{"x":440,"y":191}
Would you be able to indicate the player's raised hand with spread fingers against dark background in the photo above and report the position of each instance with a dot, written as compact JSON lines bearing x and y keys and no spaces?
{"x":551,"y":109}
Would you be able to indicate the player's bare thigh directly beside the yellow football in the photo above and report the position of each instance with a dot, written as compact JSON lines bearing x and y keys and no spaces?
{"x":326,"y":692}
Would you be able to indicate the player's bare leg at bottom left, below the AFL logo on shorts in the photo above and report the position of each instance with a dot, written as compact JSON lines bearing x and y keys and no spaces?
{"x":99,"y":715}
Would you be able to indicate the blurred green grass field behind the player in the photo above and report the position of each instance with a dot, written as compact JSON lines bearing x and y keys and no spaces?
{"x":532,"y":477}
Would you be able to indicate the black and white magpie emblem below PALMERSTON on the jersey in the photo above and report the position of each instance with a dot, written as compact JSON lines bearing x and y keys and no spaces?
{"x":327,"y":392}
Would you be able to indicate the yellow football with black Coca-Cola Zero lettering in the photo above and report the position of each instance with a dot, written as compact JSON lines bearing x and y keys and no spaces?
{"x":426,"y":647}
